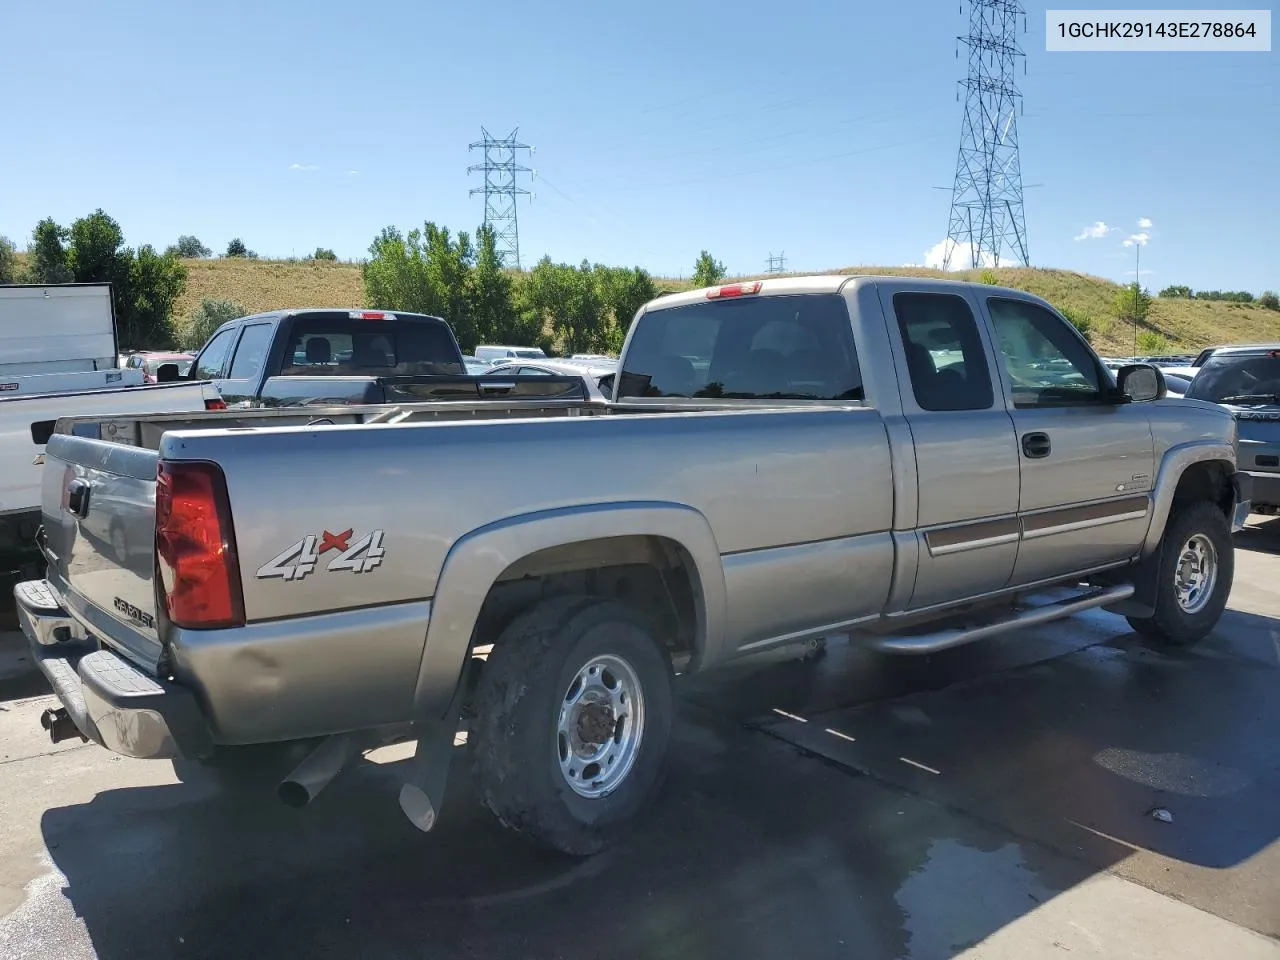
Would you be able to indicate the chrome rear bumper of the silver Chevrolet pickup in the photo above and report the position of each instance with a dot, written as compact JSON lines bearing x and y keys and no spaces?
{"x":111,"y":702}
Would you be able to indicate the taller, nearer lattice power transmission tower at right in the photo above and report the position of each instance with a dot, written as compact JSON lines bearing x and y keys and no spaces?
{"x":988,"y":198}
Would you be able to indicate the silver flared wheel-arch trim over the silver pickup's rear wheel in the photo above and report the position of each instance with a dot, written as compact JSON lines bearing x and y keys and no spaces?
{"x":476,"y":563}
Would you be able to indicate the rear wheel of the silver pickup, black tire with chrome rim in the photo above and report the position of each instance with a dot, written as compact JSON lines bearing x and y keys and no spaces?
{"x":573,"y":721}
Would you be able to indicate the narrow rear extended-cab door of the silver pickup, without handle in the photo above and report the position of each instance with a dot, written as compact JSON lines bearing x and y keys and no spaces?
{"x":966,"y":454}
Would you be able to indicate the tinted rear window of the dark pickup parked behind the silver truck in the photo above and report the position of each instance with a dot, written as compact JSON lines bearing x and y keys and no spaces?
{"x":336,"y":346}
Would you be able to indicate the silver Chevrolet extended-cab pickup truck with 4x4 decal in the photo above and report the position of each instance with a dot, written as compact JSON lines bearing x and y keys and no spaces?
{"x":915,"y":464}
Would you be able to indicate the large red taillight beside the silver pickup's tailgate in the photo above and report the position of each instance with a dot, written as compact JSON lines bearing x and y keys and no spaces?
{"x":196,"y":547}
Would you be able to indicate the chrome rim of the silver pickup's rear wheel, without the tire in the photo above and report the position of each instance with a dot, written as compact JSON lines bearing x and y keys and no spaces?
{"x":600,"y":726}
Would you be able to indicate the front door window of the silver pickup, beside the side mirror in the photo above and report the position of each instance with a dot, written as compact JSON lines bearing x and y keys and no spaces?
{"x":1046,"y":362}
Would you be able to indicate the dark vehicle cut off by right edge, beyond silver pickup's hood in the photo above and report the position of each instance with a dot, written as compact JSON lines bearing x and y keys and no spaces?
{"x":1246,"y":380}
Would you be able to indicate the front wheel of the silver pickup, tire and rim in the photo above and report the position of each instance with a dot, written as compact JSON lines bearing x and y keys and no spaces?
{"x":1197,"y":568}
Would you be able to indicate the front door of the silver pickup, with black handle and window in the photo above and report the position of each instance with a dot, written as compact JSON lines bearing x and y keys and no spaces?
{"x":1087,"y":464}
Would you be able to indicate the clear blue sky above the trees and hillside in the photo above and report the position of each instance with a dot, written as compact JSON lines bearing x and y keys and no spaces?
{"x":816,"y":129}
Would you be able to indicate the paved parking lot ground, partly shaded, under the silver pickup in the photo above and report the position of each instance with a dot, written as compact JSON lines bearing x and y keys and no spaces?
{"x":1066,"y":790}
